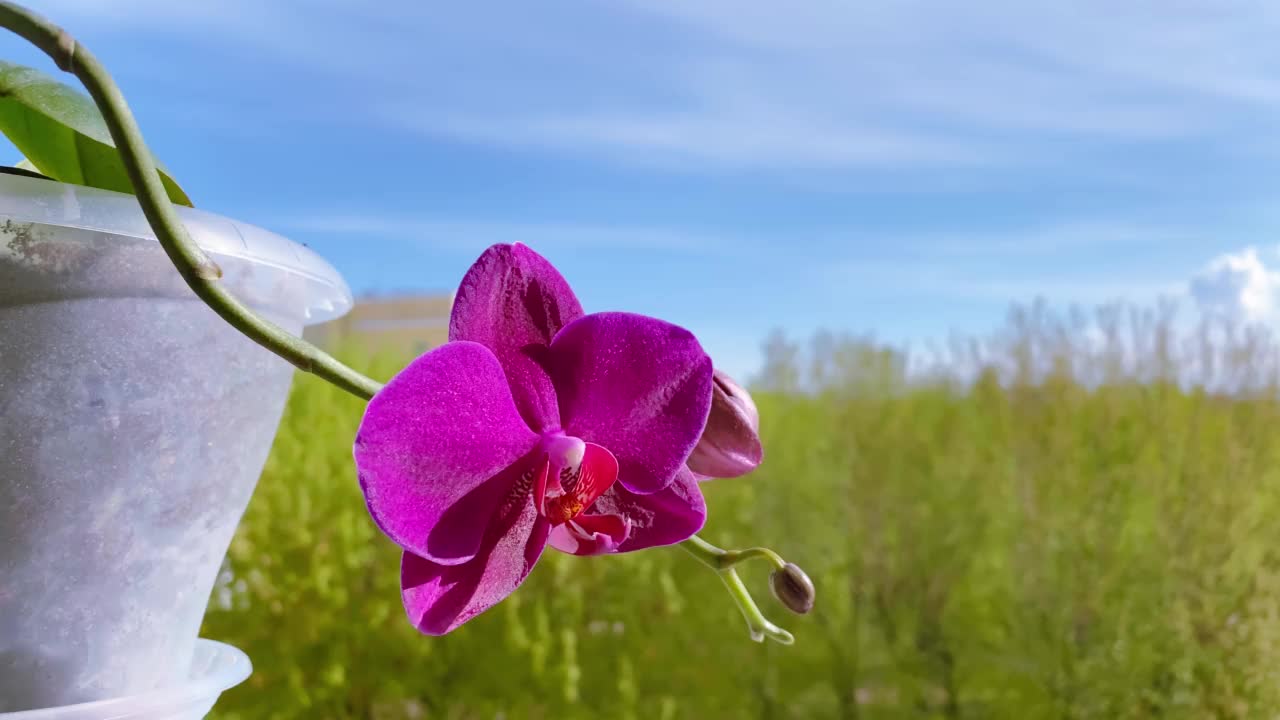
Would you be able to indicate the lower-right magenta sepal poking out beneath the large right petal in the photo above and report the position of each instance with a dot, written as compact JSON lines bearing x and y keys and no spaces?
{"x":668,"y":517}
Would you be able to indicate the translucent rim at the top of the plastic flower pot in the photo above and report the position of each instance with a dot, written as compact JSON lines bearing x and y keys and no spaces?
{"x":25,"y":199}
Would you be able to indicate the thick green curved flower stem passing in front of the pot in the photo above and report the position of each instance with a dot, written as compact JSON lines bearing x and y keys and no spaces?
{"x":196,"y":268}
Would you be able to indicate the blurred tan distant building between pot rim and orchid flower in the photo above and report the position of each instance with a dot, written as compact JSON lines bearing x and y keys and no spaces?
{"x":400,"y":325}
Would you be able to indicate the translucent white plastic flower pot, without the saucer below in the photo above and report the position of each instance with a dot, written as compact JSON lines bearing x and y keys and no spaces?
{"x":134,"y":426}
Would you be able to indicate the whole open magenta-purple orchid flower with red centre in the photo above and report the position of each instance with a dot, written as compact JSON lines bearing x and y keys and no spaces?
{"x":534,"y":426}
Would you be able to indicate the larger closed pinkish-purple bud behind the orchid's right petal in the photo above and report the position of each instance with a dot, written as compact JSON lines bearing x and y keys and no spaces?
{"x":732,"y":443}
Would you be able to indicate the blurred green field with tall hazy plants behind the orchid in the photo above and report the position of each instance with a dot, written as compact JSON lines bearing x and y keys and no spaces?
{"x":1025,"y":546}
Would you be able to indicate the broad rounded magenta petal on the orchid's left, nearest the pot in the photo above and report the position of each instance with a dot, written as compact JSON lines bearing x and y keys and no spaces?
{"x":437,"y":452}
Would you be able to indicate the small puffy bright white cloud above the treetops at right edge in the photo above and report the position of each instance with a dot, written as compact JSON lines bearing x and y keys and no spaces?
{"x":1237,"y":286}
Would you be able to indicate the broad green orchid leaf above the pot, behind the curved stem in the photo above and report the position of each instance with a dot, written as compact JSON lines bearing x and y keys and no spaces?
{"x":63,"y":135}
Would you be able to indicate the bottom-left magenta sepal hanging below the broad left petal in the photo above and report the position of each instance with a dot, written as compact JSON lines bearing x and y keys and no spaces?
{"x":441,"y":598}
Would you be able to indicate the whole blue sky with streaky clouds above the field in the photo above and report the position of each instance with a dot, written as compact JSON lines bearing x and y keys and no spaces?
{"x":903,"y":168}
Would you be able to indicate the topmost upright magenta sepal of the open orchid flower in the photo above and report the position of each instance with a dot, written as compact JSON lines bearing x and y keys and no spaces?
{"x":514,"y":303}
